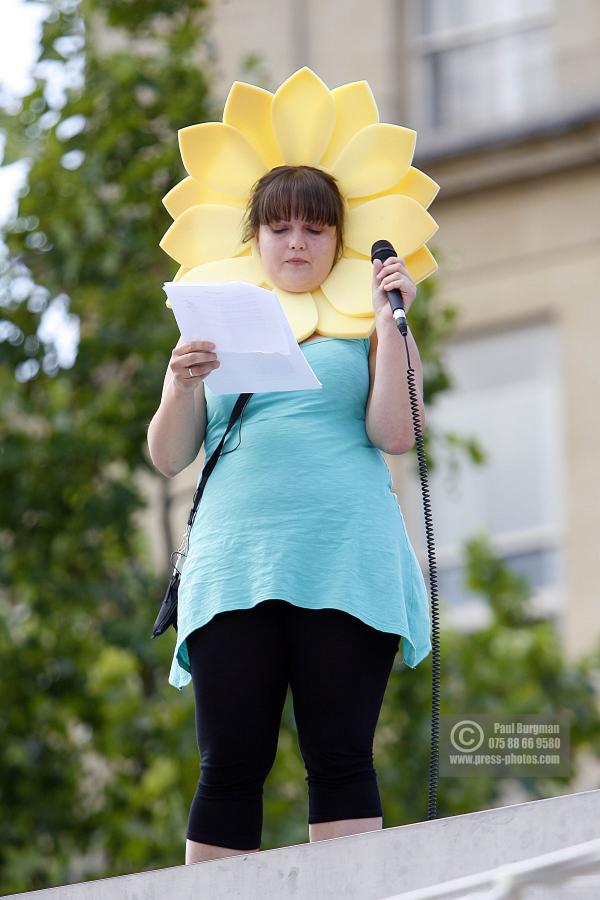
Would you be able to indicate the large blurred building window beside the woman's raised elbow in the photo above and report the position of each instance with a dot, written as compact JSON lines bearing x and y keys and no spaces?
{"x":505,"y":395}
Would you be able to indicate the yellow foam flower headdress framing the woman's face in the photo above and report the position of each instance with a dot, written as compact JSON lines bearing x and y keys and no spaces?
{"x":303,"y":123}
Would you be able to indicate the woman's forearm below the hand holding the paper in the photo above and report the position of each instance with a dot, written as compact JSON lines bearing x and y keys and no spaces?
{"x":177,"y":429}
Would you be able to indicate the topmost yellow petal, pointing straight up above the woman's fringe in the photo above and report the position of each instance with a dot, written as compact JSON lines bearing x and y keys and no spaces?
{"x":303,"y":118}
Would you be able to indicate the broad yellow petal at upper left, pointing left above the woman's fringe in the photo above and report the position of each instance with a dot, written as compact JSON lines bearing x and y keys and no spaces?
{"x":220,"y":158}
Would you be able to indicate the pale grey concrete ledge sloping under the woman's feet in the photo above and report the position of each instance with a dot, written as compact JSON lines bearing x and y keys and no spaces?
{"x":367,"y":866}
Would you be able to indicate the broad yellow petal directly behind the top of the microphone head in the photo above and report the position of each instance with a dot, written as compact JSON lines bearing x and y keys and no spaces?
{"x":400,"y":220}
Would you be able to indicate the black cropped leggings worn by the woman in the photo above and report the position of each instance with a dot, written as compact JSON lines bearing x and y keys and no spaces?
{"x":242,"y":662}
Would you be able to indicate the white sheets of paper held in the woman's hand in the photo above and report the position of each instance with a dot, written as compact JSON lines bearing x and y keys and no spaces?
{"x":253,"y":340}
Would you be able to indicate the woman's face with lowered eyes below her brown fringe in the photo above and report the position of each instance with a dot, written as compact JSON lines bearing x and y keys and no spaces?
{"x":280,"y":244}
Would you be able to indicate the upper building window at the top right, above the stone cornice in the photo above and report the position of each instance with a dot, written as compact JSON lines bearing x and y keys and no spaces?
{"x":479,"y":64}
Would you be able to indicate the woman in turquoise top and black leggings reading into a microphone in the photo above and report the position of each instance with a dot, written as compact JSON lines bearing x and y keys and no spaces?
{"x":299,"y":570}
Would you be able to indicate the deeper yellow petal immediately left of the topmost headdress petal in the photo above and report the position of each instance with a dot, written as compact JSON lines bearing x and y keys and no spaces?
{"x":248,"y":108}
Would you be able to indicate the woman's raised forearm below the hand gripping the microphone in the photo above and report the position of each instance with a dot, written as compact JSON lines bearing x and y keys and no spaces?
{"x":389,"y":422}
